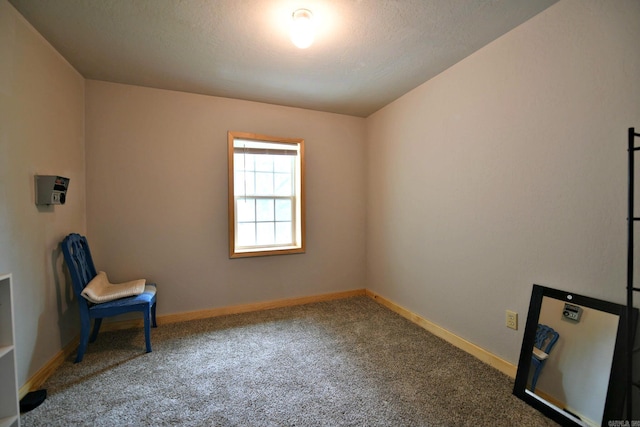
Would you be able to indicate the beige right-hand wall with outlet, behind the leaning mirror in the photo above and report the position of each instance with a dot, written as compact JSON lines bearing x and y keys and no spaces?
{"x":508,"y":169}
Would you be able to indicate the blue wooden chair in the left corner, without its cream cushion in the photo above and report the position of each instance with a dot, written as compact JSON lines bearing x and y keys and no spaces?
{"x":78,"y":259}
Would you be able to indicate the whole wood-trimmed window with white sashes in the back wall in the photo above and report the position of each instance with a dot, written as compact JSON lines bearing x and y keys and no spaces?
{"x":266,"y":195}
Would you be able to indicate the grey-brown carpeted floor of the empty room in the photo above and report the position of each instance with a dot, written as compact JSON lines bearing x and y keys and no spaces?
{"x":348,"y":362}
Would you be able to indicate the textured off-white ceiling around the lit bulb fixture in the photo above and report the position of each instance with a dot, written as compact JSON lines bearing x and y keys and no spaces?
{"x":366,"y":54}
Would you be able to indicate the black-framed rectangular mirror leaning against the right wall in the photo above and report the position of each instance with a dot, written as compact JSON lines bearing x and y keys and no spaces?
{"x":572,"y":361}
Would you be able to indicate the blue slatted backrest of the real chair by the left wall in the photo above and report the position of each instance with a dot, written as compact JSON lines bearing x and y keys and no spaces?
{"x":78,"y":258}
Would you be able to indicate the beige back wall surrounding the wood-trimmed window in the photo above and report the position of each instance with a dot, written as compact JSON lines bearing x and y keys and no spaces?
{"x":157,"y":197}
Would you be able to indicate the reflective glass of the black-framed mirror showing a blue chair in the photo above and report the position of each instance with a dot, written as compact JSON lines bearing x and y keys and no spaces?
{"x":572,"y":357}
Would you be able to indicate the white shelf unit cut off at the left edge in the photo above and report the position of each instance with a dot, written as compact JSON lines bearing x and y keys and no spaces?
{"x":9,"y":402}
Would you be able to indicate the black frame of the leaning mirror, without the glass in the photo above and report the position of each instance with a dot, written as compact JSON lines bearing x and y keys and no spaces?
{"x":614,"y":405}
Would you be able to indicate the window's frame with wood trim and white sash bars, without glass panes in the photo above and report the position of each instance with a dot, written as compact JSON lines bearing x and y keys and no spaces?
{"x":253,"y":143}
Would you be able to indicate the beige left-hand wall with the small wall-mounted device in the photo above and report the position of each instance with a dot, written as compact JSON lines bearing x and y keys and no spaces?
{"x":41,"y":132}
